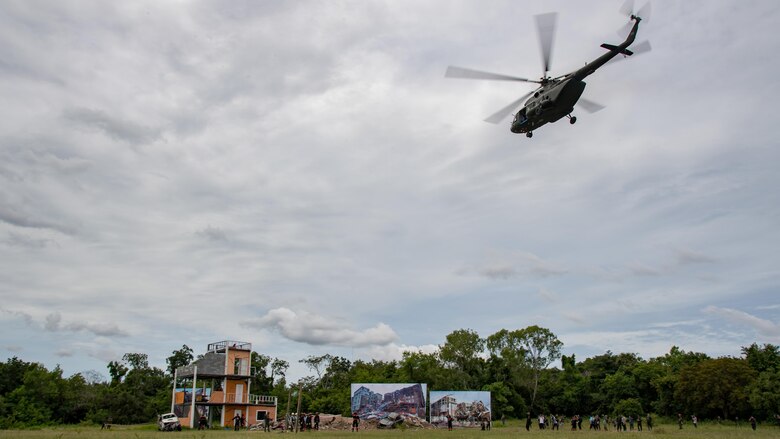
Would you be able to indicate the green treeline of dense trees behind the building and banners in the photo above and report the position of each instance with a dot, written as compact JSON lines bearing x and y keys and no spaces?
{"x":514,"y":365}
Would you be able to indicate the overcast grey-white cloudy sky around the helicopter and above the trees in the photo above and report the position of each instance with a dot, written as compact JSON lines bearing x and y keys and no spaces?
{"x":300,"y":175}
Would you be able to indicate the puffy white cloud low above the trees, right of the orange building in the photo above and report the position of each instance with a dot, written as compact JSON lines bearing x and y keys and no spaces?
{"x":305,"y":327}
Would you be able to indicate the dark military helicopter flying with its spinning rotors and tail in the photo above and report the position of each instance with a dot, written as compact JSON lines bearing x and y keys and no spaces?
{"x":556,"y":97}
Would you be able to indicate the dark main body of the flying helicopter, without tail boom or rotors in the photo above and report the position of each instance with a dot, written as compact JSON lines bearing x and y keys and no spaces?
{"x":551,"y":102}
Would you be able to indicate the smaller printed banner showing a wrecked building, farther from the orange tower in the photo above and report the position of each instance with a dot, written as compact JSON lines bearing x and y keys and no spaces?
{"x":467,"y":409}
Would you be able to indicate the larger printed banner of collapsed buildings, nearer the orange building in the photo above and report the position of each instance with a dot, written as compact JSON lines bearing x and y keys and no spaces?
{"x":370,"y":400}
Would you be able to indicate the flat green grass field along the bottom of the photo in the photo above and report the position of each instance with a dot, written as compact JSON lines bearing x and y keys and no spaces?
{"x":512,"y":430}
